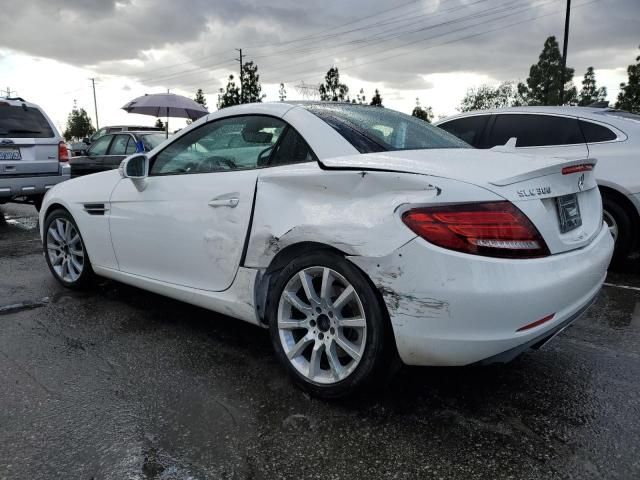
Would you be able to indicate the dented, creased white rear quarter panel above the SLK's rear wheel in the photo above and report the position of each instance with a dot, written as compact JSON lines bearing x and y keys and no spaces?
{"x":353,"y":211}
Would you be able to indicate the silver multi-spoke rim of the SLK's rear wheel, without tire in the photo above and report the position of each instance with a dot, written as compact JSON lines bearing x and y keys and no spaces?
{"x":322,"y":325}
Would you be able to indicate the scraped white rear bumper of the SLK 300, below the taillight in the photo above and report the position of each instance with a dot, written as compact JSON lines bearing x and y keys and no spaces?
{"x":448,"y":308}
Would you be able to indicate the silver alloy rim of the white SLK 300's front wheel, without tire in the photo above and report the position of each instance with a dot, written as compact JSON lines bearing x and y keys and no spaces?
{"x":65,"y":250}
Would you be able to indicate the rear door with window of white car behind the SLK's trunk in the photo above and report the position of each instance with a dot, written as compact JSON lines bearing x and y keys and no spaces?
{"x":539,"y":134}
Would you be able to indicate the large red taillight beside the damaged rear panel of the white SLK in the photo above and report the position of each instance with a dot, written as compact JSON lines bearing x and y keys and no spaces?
{"x":496,"y":229}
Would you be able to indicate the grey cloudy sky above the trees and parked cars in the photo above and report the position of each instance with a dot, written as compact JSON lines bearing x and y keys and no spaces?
{"x":428,"y":49}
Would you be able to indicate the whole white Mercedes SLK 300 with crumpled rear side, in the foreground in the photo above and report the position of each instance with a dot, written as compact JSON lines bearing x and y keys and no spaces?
{"x":356,"y":234}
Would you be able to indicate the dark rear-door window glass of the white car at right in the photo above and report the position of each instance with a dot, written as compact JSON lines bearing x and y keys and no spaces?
{"x":535,"y":130}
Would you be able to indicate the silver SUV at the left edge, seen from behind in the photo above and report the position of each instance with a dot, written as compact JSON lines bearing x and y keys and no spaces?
{"x":33,"y":155}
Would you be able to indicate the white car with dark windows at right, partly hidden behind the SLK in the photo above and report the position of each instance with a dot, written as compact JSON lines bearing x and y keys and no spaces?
{"x":610,"y":136}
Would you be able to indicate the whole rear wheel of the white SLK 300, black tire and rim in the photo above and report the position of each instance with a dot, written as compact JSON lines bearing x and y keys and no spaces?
{"x":327,"y":326}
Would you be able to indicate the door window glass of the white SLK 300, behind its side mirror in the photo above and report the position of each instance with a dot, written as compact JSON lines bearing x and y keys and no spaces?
{"x":237,"y":143}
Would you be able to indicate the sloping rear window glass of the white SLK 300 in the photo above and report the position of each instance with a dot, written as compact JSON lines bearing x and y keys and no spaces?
{"x":376,"y":129}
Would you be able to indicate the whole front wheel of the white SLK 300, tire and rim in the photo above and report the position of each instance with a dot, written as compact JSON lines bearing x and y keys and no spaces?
{"x":65,"y":252}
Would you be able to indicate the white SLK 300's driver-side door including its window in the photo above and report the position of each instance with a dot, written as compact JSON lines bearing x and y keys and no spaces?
{"x":188,"y":226}
